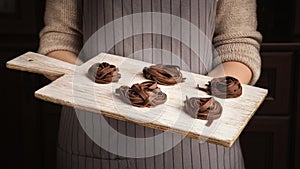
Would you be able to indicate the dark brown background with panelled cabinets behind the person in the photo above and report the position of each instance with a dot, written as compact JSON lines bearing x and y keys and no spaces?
{"x":29,"y":126}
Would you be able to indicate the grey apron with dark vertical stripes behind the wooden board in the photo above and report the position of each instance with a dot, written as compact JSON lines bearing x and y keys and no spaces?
{"x":76,"y":150}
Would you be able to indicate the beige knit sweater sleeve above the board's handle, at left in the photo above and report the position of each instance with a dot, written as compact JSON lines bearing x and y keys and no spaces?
{"x":63,"y":27}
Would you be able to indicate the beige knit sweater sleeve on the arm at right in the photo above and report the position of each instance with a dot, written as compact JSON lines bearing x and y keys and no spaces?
{"x":236,"y":37}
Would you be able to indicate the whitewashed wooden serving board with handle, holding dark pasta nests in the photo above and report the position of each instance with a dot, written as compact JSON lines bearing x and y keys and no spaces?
{"x":75,"y":89}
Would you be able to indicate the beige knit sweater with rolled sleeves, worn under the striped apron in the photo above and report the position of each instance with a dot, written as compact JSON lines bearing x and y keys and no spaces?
{"x":236,"y":37}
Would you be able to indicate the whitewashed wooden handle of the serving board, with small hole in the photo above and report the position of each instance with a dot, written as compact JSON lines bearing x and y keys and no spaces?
{"x":41,"y":64}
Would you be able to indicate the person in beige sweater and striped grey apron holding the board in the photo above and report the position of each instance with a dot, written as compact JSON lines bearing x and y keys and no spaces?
{"x":230,"y":24}
